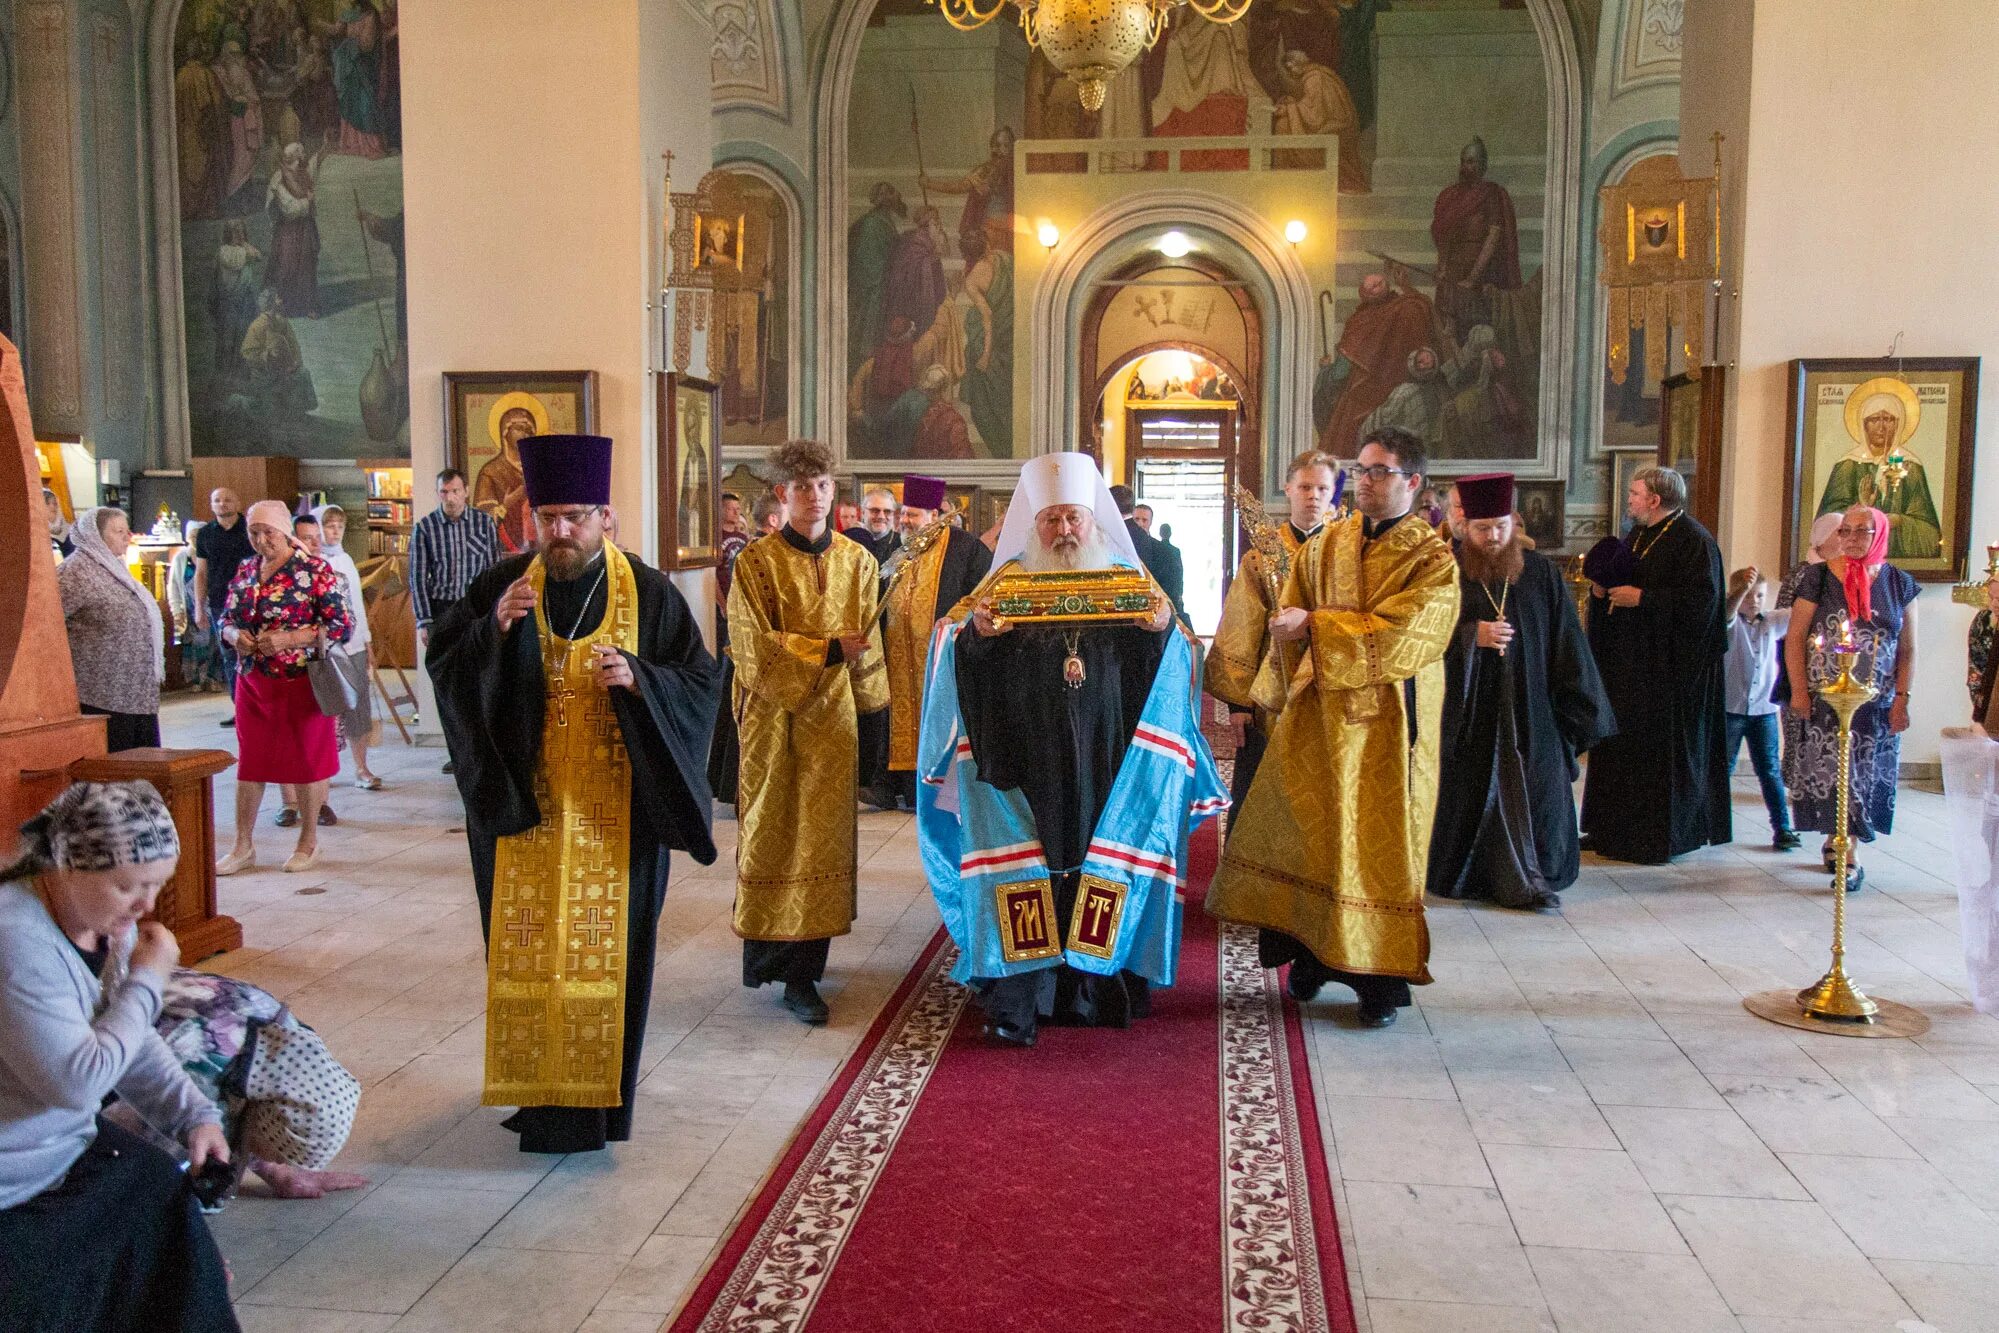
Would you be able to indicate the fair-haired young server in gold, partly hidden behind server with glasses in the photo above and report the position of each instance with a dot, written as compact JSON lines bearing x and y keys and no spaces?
{"x":1242,"y":670}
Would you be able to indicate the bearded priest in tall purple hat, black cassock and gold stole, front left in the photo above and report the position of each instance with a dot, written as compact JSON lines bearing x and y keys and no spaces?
{"x":583,"y":704}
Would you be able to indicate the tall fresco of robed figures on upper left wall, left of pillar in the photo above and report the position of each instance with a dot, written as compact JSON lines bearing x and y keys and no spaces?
{"x":289,"y":153}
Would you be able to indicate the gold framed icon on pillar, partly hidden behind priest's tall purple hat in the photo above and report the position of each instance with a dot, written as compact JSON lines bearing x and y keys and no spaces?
{"x":489,"y":413}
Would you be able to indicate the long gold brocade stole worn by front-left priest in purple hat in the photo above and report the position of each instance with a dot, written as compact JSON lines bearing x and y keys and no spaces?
{"x":557,"y":960}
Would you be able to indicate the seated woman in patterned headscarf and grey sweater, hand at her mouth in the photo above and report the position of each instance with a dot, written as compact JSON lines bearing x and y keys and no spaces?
{"x":99,"y":1230}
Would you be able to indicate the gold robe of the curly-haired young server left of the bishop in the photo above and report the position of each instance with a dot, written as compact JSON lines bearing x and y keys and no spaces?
{"x":797,"y":724}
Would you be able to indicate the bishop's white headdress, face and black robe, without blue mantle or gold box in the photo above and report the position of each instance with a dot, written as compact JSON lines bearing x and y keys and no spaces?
{"x":1050,"y":712}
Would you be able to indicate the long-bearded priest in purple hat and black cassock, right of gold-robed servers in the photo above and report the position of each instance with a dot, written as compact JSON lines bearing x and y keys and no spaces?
{"x":1522,"y":698}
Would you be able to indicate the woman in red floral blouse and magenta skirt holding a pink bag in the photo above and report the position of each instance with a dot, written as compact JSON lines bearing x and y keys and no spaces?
{"x":281,"y":609}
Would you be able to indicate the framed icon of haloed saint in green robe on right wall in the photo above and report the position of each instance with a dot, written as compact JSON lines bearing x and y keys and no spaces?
{"x":1896,"y":435}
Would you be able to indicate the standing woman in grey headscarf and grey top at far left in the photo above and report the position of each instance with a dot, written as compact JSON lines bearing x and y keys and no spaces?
{"x":117,"y":637}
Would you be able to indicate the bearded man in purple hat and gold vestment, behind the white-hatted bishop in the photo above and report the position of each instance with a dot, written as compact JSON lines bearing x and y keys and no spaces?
{"x":947,"y":573}
